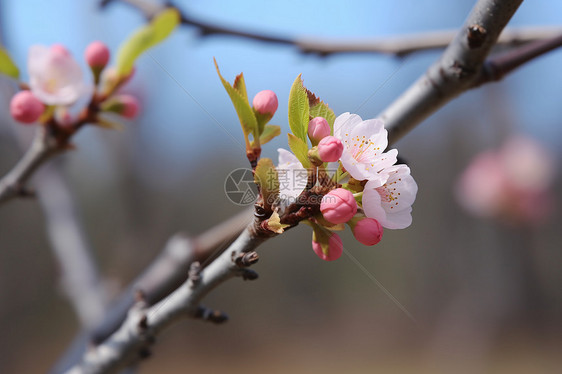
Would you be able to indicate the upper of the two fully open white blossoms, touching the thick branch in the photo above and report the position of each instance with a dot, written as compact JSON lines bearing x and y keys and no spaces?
{"x":364,"y":144}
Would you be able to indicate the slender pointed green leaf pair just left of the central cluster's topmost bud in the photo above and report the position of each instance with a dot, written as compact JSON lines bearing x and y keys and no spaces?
{"x":239,"y":99}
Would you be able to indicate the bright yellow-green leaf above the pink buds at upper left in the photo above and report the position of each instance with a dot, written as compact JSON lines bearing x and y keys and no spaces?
{"x":146,"y":37}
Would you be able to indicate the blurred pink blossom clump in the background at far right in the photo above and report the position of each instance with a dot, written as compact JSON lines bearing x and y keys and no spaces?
{"x":513,"y":183}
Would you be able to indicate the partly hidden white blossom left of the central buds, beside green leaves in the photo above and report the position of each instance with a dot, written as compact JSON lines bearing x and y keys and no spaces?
{"x":292,"y":176}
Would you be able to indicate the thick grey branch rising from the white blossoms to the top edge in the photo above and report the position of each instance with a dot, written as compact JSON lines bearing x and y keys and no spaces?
{"x":457,"y":70}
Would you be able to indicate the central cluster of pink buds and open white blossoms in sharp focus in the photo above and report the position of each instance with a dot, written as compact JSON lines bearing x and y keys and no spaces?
{"x":374,"y":193}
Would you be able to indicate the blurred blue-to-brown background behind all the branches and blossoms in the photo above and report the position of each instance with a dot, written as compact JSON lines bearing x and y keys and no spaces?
{"x":485,"y":293}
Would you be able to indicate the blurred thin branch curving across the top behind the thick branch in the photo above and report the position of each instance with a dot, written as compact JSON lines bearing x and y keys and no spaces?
{"x":395,"y":45}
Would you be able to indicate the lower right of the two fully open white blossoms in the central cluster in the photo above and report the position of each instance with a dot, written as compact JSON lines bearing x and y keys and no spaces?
{"x":389,"y":199}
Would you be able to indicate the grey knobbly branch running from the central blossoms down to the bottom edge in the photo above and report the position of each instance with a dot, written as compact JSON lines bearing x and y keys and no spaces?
{"x":136,"y":334}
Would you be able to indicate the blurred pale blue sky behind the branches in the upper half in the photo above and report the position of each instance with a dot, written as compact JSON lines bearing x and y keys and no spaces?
{"x":177,"y":123}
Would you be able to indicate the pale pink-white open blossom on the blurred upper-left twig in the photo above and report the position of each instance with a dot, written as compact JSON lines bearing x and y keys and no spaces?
{"x":55,"y":77}
